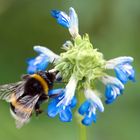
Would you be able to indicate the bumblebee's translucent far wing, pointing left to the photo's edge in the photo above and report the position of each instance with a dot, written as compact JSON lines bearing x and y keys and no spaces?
{"x":7,"y":90}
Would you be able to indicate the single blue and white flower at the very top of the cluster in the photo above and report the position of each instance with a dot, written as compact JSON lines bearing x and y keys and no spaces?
{"x":69,"y":21}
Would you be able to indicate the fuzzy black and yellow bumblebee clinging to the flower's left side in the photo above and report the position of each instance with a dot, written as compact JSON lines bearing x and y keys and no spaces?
{"x":26,"y":96}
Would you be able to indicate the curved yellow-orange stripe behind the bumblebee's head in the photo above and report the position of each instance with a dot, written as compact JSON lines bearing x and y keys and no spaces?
{"x":42,"y":81}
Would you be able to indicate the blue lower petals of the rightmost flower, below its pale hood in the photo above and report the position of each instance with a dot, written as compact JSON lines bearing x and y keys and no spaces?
{"x":125,"y":72}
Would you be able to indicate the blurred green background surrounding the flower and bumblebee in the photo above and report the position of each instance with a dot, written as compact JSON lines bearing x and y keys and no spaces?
{"x":114,"y":28}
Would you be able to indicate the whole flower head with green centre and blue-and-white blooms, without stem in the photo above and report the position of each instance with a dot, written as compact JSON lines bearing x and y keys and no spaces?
{"x":80,"y":65}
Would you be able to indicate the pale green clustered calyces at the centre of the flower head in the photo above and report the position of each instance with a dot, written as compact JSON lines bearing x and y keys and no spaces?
{"x":82,"y":60}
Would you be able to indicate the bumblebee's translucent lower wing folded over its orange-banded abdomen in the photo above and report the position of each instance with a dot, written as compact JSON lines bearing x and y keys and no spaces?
{"x":23,"y":109}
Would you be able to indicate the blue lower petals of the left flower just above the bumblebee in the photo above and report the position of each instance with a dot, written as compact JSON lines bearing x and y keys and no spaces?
{"x":40,"y":63}
